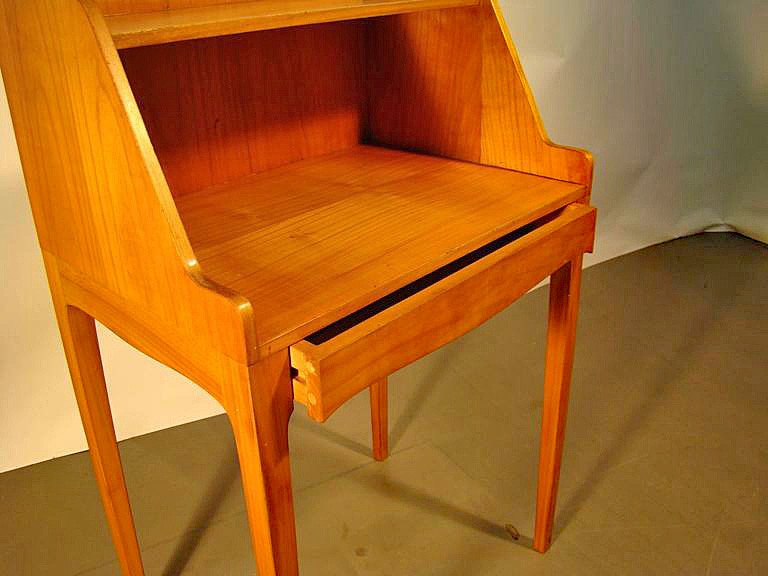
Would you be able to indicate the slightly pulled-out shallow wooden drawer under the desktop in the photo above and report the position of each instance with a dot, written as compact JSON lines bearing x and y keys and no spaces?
{"x":346,"y":357}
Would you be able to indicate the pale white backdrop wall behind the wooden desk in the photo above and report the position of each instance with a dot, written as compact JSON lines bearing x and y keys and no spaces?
{"x":670,"y":96}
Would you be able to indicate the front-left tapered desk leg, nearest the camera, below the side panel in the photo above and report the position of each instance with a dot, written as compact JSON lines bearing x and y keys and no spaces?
{"x":259,"y":410}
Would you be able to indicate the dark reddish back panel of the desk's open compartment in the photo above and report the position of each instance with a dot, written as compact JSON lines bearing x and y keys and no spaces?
{"x":222,"y":108}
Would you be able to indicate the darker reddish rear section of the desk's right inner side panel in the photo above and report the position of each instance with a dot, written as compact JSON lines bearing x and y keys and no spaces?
{"x":423,"y":80}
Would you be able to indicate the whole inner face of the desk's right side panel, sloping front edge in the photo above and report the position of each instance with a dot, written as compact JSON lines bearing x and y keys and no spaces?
{"x":449,"y":82}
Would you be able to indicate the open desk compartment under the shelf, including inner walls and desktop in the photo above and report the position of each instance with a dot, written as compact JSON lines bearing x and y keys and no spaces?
{"x":259,"y":135}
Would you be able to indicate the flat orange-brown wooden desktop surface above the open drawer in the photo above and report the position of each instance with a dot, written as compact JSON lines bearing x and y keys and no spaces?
{"x":311,"y":241}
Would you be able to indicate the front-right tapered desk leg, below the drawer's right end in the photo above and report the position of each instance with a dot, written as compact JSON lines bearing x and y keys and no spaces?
{"x":563,"y":311}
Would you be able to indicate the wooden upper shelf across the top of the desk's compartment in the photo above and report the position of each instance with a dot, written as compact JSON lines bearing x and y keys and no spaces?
{"x":130,"y":30}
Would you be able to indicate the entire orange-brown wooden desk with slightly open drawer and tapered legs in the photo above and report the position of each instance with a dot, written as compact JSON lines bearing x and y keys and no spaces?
{"x":288,"y":201}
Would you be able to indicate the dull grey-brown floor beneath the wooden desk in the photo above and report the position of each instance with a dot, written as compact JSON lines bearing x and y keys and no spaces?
{"x":665,"y":469}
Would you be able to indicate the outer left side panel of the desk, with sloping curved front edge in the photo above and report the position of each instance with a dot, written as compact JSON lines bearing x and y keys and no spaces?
{"x":98,"y":197}
